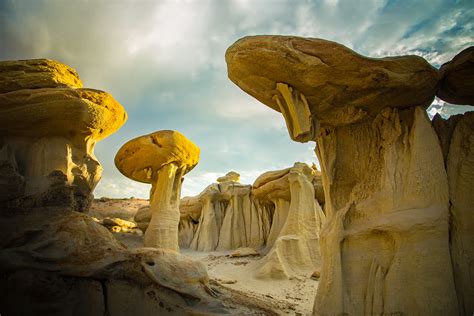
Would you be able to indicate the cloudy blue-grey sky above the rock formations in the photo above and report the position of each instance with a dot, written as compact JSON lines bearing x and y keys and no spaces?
{"x":164,"y":62}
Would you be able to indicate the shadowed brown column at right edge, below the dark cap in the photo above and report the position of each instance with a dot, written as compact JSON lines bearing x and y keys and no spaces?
{"x":457,"y":140}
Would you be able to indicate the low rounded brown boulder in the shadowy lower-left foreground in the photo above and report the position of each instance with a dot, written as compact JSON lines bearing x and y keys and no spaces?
{"x":73,"y":245}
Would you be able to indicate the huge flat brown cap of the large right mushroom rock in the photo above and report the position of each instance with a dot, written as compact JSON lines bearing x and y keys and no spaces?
{"x":339,"y":85}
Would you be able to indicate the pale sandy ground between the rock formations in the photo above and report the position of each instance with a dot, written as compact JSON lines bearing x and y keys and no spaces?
{"x":232,"y":276}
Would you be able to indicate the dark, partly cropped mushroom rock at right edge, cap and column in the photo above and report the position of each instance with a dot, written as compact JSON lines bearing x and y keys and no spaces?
{"x":457,"y":143}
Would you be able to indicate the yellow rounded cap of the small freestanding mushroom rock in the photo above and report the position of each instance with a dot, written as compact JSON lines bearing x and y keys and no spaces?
{"x":140,"y":158}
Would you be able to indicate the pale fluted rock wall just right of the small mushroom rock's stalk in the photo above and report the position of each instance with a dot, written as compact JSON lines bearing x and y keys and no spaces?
{"x":224,"y":216}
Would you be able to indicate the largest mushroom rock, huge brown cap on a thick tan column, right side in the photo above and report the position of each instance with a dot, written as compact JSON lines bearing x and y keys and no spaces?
{"x":385,"y":244}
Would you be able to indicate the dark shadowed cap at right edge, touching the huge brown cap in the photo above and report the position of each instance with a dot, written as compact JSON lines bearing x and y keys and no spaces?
{"x":457,"y":79}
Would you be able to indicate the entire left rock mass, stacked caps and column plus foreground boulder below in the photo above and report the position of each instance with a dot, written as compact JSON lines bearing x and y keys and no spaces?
{"x":53,"y":260}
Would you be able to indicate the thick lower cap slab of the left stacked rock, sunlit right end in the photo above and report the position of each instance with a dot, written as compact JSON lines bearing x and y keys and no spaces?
{"x":60,"y":112}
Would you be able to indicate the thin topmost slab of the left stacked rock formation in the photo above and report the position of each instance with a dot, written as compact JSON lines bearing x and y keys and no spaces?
{"x":36,"y":74}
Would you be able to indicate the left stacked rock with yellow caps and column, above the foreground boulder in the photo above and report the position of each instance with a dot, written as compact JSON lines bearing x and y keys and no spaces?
{"x":49,"y":126}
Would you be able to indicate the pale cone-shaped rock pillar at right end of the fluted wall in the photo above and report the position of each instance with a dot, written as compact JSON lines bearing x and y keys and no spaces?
{"x":293,"y":241}
